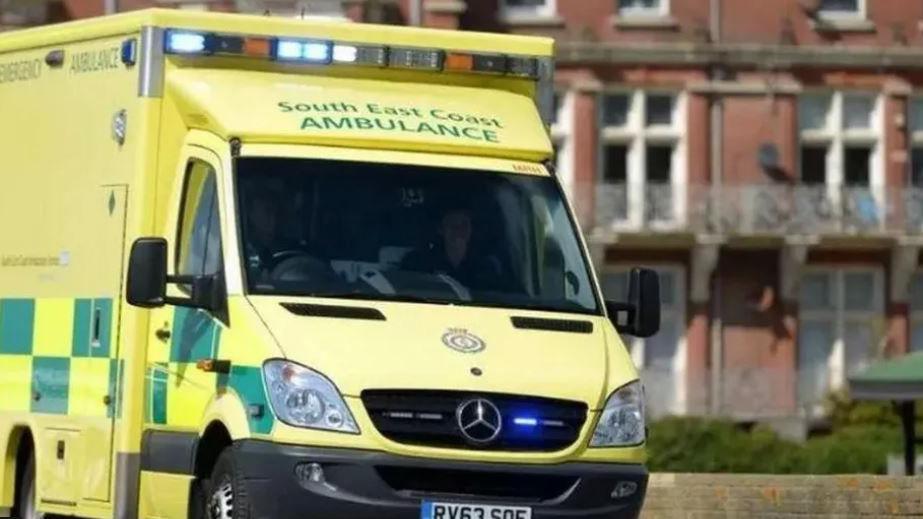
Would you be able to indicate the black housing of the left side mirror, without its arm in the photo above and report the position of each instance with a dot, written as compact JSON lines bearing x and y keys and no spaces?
{"x":147,"y":273}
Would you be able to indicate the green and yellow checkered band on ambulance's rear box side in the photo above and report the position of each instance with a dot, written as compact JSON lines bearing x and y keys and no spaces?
{"x":57,"y":357}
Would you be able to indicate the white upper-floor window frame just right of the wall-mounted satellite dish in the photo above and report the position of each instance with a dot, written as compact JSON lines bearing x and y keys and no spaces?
{"x":836,"y":139}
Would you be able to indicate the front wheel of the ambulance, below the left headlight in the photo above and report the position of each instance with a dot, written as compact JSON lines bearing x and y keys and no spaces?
{"x":225,"y":495}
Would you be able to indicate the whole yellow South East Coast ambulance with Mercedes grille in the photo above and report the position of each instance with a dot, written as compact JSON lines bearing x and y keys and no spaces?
{"x":264,"y":268}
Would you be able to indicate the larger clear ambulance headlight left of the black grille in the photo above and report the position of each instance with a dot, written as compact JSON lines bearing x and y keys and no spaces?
{"x":304,"y":398}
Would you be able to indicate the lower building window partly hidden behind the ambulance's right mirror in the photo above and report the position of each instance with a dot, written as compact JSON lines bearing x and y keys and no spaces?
{"x":661,"y":358}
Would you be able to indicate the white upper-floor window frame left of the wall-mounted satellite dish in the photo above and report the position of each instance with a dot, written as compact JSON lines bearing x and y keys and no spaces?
{"x":636,"y":135}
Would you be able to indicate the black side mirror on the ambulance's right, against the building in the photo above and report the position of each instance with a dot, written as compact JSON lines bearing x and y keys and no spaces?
{"x":640,"y":316}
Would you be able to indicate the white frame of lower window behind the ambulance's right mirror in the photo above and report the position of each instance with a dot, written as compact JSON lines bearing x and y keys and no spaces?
{"x":678,"y":311}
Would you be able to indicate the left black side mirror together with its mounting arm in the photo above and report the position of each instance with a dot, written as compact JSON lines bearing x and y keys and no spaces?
{"x":148,"y":279}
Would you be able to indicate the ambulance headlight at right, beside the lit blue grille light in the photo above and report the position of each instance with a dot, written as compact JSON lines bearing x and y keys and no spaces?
{"x":621,"y":422}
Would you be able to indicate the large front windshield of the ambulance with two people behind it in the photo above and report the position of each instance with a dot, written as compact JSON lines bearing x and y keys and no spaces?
{"x":359,"y":230}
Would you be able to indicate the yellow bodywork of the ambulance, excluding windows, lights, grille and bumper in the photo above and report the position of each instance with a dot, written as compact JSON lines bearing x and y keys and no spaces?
{"x":82,"y":369}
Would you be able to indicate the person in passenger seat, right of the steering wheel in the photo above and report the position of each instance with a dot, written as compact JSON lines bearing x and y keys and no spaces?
{"x":452,"y":254}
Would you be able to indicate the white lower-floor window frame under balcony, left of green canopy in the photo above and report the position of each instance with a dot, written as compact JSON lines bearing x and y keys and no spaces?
{"x":839,"y":316}
